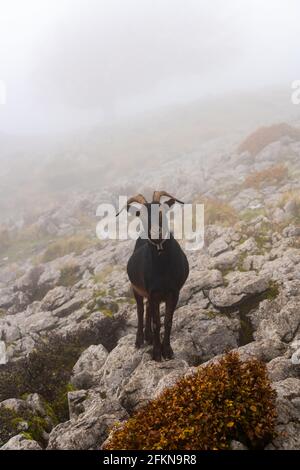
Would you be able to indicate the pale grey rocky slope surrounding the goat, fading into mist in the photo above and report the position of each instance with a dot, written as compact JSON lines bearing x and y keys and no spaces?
{"x":243,"y":293}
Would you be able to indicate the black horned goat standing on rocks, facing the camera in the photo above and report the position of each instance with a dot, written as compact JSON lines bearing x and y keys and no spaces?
{"x":157,"y":270}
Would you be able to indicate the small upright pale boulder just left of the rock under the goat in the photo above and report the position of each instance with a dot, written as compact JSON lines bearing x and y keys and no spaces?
{"x":87,"y":368}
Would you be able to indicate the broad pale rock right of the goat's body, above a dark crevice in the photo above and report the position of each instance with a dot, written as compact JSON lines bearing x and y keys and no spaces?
{"x":241,"y":286}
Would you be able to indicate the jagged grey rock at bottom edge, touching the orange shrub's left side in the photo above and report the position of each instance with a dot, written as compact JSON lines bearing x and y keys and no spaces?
{"x":90,"y":429}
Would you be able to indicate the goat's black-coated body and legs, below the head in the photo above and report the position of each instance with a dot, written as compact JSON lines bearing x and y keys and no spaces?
{"x":157,"y":276}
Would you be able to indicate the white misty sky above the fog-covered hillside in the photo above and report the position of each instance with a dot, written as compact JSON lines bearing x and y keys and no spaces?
{"x":74,"y":63}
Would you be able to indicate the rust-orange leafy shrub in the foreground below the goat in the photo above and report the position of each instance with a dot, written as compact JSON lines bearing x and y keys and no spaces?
{"x":222,"y":401}
